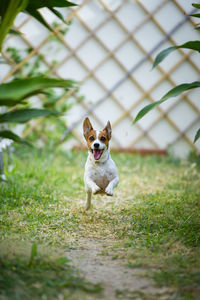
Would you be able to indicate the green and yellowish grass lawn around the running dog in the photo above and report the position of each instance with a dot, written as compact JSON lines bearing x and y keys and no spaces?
{"x":153,"y":221}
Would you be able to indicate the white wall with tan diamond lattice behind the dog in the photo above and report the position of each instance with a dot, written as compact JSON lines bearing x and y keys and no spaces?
{"x":108,"y":47}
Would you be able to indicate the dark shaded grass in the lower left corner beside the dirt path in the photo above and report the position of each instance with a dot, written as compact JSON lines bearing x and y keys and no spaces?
{"x":41,"y":277}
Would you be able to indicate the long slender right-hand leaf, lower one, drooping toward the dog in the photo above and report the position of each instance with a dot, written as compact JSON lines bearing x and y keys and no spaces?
{"x":172,"y":93}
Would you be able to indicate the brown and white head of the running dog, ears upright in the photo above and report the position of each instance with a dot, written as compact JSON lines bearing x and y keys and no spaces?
{"x":97,"y":141}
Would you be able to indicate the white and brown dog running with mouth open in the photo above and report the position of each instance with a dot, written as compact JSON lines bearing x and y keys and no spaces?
{"x":100,"y":170}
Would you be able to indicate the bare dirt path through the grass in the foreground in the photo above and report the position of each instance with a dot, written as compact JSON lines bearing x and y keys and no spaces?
{"x":111,"y":273}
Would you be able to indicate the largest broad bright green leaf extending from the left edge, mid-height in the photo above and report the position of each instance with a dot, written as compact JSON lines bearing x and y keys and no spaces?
{"x":19,"y":89}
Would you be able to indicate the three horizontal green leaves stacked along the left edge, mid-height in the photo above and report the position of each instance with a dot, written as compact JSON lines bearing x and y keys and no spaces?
{"x":17,"y":91}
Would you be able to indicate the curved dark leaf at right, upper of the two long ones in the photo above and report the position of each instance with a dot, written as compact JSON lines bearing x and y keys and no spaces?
{"x":195,"y":45}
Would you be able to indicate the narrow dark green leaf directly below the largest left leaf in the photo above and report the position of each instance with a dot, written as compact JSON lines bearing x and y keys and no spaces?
{"x":24,"y":115}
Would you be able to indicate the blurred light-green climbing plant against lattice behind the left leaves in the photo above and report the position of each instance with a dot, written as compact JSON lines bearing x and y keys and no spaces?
{"x":49,"y":99}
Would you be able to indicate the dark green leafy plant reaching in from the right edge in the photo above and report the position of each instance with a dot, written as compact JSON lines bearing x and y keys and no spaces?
{"x":195,"y":45}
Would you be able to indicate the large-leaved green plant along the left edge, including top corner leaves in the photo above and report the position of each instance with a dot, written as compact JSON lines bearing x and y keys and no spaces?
{"x":17,"y":91}
